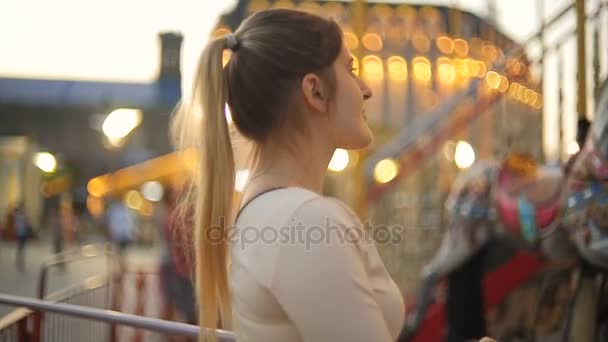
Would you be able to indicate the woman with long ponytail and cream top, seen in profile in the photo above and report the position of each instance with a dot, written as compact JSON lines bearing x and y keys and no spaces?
{"x":292,"y":91}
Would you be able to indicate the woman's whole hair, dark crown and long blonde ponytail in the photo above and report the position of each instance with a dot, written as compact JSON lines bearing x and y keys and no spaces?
{"x":274,"y":50}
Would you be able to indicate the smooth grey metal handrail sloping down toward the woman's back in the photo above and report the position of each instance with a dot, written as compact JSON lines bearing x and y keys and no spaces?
{"x":113,"y":317}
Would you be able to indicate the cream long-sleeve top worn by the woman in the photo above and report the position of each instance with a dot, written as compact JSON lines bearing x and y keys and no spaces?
{"x":302,"y":269}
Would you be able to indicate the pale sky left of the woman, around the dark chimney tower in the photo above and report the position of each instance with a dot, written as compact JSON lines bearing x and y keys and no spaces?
{"x":104,"y":40}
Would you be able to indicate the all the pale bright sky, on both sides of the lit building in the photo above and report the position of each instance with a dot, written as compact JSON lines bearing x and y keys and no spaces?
{"x":116,"y":40}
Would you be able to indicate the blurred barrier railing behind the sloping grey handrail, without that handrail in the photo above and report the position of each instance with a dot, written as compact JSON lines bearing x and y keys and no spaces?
{"x":119,"y":287}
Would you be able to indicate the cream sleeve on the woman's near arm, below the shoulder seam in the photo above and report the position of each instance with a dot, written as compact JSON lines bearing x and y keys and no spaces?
{"x":323,"y":286}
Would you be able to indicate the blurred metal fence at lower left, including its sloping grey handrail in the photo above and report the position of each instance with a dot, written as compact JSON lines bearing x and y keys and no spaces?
{"x":107,"y":307}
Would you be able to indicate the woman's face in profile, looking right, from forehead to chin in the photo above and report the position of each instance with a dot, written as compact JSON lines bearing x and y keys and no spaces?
{"x":347,"y":122}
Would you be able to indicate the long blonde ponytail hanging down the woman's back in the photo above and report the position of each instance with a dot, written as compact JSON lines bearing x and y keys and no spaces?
{"x":212,"y":187}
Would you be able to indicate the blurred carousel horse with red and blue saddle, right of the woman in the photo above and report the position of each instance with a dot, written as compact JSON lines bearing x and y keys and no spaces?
{"x":559,"y":212}
